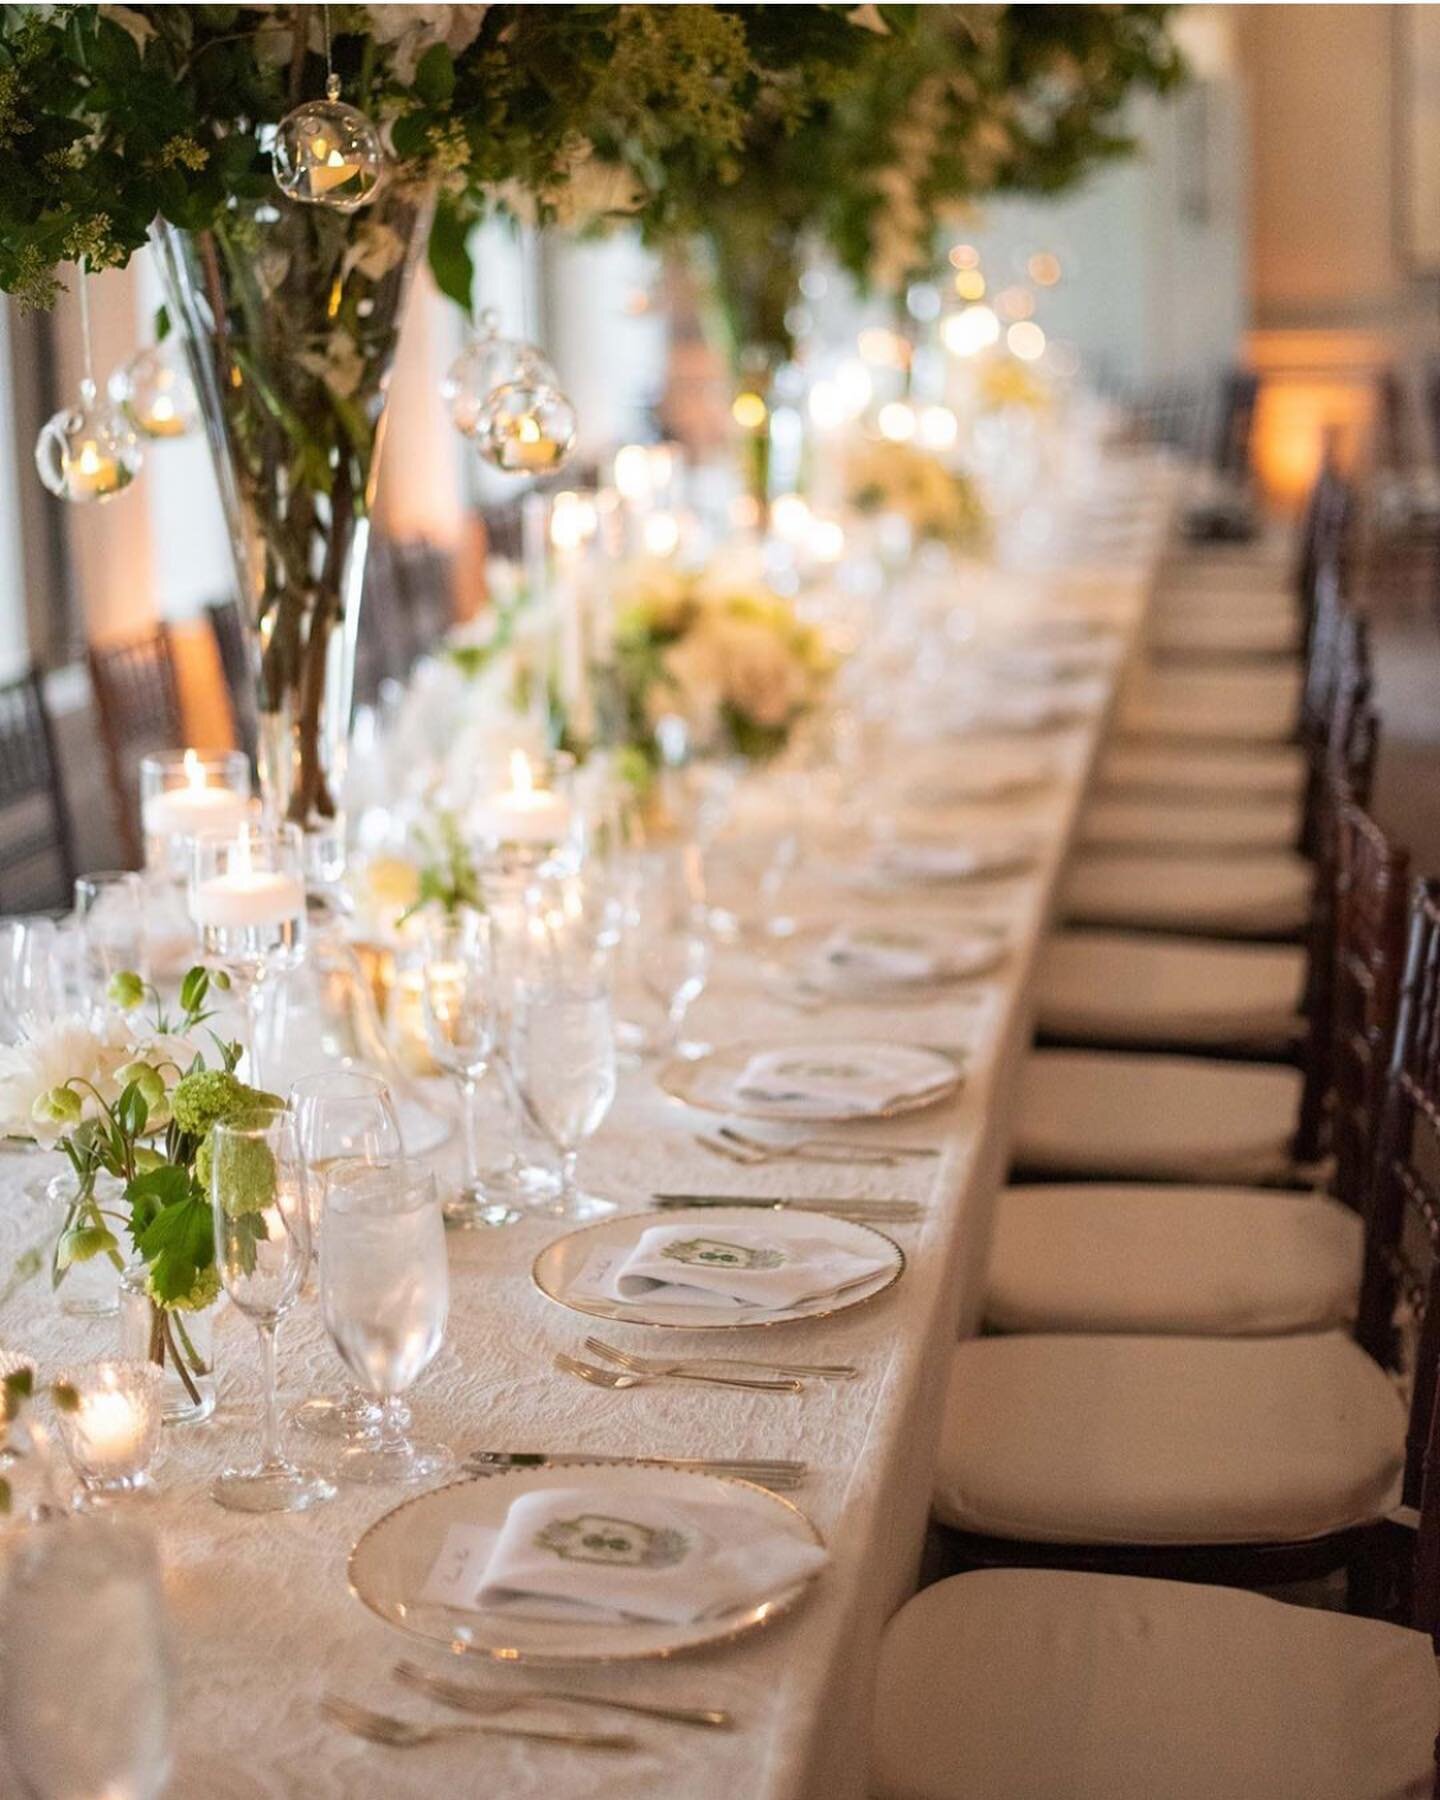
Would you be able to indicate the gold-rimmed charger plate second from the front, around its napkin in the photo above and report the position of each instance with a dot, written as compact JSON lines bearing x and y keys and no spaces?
{"x":561,"y":1264}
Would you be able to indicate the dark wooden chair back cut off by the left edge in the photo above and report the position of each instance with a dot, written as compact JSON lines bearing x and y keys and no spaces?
{"x":37,"y":841}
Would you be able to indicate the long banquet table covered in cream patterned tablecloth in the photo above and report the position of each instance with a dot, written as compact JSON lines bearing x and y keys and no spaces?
{"x":262,"y":1614}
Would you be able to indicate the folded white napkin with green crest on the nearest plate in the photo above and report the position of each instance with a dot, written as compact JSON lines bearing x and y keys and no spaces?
{"x":597,"y":1552}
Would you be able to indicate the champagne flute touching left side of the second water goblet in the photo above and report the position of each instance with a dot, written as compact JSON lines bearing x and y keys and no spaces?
{"x":460,"y":1005}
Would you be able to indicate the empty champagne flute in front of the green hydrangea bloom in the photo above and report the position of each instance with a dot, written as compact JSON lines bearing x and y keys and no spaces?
{"x":262,"y":1248}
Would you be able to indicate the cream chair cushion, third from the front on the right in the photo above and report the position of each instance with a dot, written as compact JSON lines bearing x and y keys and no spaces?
{"x":1218,"y":1263}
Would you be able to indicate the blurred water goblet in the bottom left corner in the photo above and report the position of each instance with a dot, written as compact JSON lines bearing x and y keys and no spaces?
{"x":84,"y":1615}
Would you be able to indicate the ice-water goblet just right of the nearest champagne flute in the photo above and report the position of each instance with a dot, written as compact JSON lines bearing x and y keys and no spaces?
{"x":386,"y":1297}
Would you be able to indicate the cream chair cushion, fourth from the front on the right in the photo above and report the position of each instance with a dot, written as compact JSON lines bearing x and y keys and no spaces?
{"x":1167,"y":1119}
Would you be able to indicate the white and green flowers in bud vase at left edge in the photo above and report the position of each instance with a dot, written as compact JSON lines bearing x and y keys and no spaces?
{"x":129,"y":1093}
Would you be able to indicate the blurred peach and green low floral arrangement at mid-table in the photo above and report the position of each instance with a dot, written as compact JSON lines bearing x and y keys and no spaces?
{"x":726,"y":656}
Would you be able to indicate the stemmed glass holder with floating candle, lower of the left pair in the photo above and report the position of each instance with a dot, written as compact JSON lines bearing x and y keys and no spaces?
{"x":247,"y":903}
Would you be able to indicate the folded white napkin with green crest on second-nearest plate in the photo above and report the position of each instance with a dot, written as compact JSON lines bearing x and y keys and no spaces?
{"x":739,"y":1266}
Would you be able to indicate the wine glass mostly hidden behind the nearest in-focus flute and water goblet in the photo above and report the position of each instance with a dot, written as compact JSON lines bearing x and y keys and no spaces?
{"x":341,"y":1117}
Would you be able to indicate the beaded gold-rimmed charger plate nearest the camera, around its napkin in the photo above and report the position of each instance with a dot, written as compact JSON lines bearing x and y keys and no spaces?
{"x":391,"y":1561}
